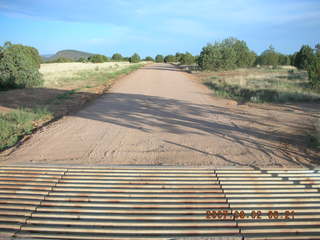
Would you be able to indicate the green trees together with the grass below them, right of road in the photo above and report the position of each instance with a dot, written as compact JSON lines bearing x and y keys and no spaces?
{"x":236,"y":72}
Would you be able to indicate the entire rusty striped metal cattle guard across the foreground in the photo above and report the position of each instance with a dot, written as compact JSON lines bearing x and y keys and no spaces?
{"x":158,"y":203}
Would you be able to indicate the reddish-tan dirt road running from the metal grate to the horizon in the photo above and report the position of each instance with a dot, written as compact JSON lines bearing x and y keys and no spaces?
{"x":160,"y":116}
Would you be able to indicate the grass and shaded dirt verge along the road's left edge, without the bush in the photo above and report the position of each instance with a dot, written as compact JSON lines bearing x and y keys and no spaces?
{"x":28,"y":109}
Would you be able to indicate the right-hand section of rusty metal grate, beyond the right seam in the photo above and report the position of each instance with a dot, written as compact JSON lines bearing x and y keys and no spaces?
{"x":288,"y":201}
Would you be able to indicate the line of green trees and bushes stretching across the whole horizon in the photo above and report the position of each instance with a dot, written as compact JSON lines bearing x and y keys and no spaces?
{"x":19,"y":64}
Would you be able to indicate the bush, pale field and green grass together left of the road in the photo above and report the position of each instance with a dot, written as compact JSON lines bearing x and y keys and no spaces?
{"x":32,"y":93}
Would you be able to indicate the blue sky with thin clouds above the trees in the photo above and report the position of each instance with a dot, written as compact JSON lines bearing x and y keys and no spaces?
{"x":150,"y":27}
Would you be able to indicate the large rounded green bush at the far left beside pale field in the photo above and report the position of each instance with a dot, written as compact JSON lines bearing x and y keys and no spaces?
{"x":19,"y":66}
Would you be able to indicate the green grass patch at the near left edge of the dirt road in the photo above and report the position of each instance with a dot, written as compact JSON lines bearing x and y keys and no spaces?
{"x":15,"y":124}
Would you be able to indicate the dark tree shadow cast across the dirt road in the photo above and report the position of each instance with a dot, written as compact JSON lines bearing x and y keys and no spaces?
{"x":144,"y":113}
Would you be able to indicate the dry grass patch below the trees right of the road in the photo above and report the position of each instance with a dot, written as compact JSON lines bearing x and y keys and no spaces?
{"x":281,"y":85}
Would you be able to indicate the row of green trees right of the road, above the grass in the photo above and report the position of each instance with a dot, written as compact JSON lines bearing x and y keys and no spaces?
{"x":232,"y":53}
